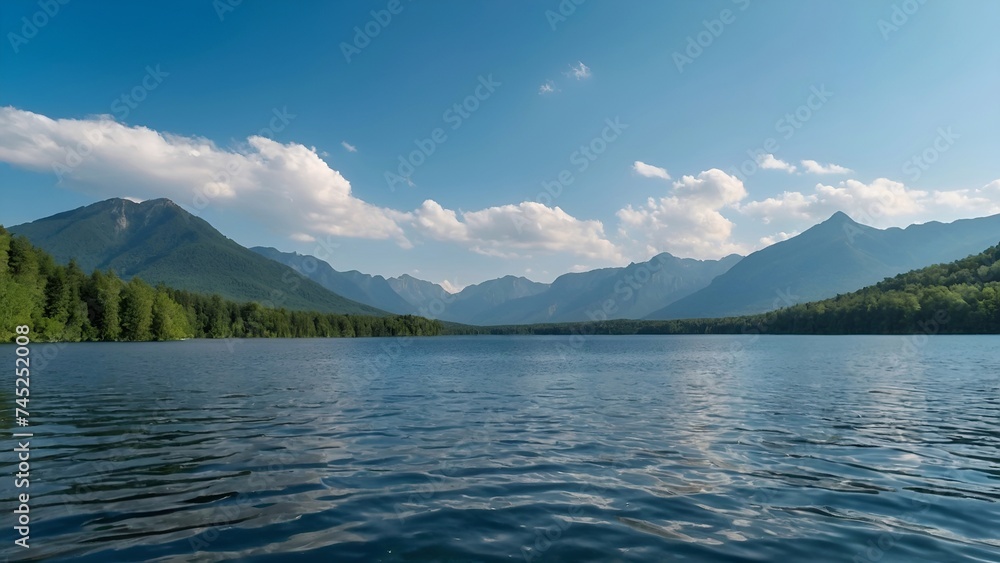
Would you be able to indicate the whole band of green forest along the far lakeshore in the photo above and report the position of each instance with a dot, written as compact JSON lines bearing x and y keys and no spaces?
{"x":64,"y":303}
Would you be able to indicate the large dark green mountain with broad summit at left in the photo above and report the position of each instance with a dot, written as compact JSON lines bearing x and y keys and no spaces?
{"x":161,"y":243}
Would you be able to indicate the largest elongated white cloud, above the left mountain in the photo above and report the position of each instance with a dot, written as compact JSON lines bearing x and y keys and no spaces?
{"x":286,"y":185}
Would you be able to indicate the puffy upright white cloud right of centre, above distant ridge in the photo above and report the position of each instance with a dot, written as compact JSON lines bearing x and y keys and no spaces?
{"x":688,"y":222}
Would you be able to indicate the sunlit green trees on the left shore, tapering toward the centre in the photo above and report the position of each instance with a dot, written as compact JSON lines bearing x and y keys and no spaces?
{"x":64,"y":303}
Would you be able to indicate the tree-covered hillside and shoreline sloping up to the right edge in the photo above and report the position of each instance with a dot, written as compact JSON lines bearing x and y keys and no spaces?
{"x":961,"y":297}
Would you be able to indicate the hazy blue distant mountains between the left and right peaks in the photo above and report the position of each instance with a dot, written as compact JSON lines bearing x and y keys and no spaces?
{"x":615,"y":293}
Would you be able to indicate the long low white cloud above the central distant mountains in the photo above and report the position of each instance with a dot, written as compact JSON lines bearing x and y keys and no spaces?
{"x":506,"y":230}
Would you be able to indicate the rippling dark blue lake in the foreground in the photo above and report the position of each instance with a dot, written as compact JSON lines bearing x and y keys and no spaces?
{"x":616,"y":448}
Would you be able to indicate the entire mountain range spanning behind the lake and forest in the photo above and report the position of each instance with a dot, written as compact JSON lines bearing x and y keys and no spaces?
{"x":162,"y":243}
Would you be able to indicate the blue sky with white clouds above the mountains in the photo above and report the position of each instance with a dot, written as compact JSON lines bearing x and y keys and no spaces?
{"x":698,"y":128}
